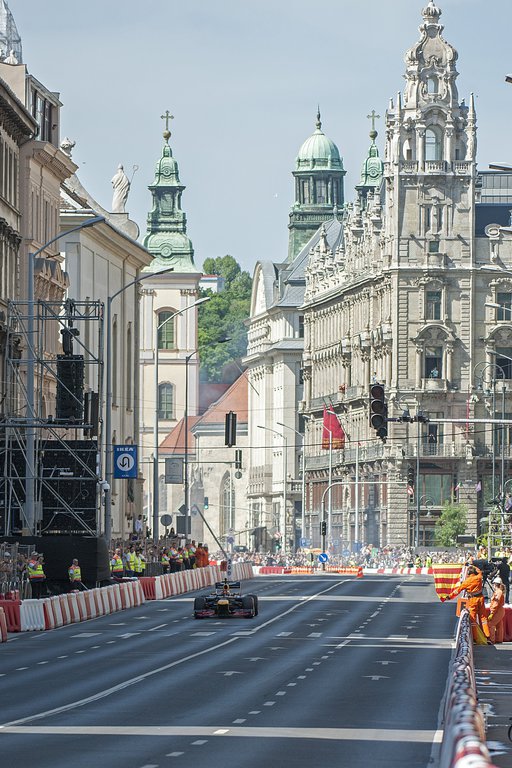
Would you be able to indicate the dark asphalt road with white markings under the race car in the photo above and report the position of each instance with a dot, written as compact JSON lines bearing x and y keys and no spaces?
{"x":334,"y":671}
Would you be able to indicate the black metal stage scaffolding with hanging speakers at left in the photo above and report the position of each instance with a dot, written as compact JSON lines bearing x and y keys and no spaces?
{"x":66,"y":469}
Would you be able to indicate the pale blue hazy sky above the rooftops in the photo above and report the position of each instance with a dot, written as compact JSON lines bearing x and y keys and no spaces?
{"x":243,"y":79}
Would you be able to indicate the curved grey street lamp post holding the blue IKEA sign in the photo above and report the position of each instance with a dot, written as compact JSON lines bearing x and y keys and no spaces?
{"x":108,"y":399}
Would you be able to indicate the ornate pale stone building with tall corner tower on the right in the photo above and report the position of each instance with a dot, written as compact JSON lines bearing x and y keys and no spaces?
{"x":404,"y":302}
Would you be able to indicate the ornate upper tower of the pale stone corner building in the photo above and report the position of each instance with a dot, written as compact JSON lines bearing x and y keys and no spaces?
{"x":430,"y":157}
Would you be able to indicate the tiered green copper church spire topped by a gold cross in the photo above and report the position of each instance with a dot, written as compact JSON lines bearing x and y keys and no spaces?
{"x":166,"y":238}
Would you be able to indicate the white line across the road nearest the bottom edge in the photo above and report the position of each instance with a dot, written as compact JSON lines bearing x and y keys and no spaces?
{"x":337,"y":734}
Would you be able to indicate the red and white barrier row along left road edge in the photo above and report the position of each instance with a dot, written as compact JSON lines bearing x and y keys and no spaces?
{"x":73,"y":607}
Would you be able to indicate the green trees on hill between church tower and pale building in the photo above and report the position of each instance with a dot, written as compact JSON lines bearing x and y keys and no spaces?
{"x":224,"y":317}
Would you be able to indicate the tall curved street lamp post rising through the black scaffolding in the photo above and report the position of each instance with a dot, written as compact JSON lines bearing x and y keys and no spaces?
{"x":30,"y":516}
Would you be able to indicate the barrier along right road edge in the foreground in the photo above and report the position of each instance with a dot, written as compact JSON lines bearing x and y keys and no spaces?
{"x":463,"y":743}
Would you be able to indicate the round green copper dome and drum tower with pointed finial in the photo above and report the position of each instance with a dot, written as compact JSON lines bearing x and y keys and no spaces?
{"x":318,"y":188}
